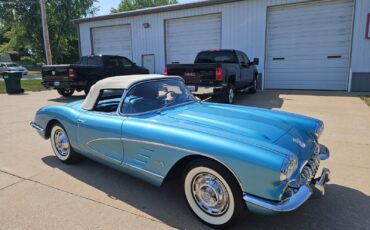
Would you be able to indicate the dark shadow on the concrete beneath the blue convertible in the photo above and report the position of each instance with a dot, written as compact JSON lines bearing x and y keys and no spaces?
{"x":341,"y":208}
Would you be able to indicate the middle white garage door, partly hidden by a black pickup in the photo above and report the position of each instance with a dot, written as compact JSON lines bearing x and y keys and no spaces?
{"x":185,"y":37}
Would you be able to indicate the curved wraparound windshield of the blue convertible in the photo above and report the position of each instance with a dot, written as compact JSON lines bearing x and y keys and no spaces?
{"x":155,"y":95}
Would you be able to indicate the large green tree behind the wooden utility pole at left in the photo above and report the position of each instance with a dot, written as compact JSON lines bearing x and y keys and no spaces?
{"x":20,"y":23}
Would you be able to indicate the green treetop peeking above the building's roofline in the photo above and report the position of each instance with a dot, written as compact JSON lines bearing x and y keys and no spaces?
{"x":127,"y":5}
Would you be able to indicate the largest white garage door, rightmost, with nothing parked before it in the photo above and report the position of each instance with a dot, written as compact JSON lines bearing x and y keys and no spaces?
{"x":308,"y":45}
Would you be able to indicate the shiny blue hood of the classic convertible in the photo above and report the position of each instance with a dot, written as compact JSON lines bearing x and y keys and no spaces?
{"x":230,"y":121}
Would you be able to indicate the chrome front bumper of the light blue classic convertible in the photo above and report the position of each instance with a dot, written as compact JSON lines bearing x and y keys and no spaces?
{"x":303,"y":193}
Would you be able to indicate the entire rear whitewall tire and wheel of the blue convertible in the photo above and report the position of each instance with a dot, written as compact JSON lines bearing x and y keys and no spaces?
{"x":61,"y":145}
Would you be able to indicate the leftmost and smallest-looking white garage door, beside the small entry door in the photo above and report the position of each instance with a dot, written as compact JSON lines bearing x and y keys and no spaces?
{"x":114,"y":40}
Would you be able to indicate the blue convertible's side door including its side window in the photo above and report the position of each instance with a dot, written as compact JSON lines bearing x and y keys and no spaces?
{"x":99,"y":130}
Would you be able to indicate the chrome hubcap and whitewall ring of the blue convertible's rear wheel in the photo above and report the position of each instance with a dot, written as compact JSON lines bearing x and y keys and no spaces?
{"x":60,"y":143}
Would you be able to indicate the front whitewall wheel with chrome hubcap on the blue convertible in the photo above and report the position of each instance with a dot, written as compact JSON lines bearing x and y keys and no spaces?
{"x":212,"y":193}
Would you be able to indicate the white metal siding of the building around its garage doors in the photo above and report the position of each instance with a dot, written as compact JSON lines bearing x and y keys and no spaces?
{"x":243,"y":28}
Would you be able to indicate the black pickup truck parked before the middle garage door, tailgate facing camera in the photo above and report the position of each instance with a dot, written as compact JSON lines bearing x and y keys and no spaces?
{"x":218,"y":73}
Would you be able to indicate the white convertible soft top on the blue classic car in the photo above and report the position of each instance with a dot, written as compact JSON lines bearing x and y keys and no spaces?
{"x":120,"y":82}
